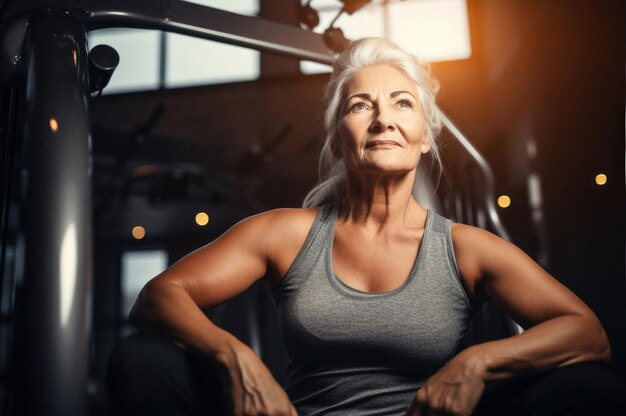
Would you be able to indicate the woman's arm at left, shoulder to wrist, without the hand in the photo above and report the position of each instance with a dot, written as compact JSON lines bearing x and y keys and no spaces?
{"x":171,"y":303}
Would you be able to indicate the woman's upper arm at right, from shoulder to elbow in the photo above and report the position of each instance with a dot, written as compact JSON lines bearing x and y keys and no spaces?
{"x":521,"y":287}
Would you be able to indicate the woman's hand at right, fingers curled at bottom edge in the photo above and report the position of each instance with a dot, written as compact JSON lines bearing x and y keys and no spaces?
{"x":454,"y":390}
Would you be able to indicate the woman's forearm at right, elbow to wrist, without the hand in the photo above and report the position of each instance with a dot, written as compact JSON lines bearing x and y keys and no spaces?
{"x":556,"y":342}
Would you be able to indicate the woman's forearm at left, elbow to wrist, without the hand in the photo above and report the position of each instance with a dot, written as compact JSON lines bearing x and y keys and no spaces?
{"x":166,"y":308}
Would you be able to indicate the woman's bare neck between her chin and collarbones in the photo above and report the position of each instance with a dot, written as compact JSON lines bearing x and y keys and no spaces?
{"x":381,"y":202}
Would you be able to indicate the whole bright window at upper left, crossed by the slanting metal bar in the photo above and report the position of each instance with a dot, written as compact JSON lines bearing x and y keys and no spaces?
{"x":151,"y":59}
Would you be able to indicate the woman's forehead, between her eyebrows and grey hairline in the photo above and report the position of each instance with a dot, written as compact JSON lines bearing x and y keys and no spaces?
{"x":379,"y":78}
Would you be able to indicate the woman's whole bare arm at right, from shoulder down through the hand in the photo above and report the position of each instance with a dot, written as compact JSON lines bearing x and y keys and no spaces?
{"x":560,"y":329}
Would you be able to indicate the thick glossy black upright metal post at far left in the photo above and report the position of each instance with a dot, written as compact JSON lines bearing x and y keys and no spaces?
{"x":54,"y":298}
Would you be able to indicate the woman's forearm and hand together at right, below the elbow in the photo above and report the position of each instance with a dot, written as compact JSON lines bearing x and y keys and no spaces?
{"x":457,"y":387}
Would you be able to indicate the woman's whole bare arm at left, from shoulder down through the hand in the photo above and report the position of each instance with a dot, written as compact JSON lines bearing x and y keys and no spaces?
{"x":171,"y":304}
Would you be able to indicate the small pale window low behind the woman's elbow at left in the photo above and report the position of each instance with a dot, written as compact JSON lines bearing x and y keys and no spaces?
{"x":138,"y":267}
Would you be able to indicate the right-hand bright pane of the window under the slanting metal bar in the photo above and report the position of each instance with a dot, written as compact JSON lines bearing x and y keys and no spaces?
{"x":193,"y":61}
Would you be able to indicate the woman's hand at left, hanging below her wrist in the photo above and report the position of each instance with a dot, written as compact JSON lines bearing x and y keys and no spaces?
{"x":253,"y":389}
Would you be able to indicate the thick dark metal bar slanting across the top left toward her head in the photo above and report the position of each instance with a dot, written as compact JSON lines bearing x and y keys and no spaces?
{"x":189,"y":19}
